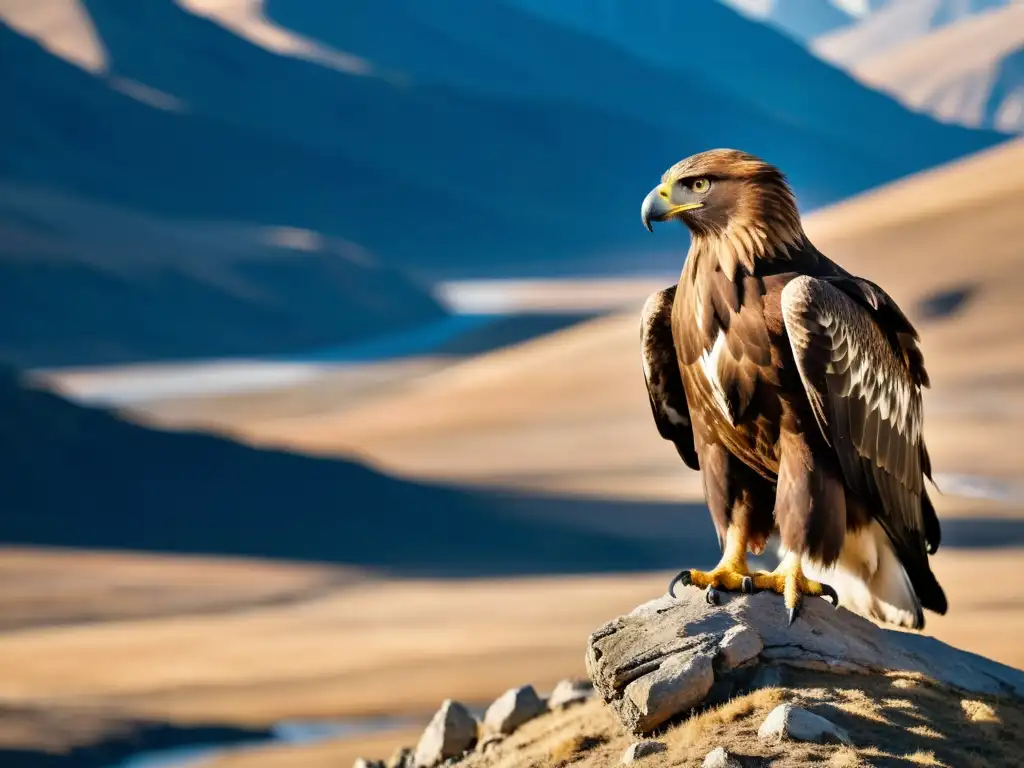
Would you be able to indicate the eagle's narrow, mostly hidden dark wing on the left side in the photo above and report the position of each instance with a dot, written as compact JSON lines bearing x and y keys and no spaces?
{"x":661,"y":370}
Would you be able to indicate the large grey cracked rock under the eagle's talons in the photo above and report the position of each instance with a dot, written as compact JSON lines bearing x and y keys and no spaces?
{"x":670,"y":656}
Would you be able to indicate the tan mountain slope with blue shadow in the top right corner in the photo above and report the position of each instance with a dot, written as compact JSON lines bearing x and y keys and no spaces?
{"x":971,"y":73}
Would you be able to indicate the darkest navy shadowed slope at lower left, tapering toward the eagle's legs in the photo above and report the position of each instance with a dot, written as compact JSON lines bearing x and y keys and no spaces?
{"x":82,"y":478}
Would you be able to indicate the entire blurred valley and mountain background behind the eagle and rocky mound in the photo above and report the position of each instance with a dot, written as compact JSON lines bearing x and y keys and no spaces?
{"x":320,"y":399}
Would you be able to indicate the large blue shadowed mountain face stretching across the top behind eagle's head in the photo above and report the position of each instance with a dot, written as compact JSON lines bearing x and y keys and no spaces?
{"x":484,"y":140}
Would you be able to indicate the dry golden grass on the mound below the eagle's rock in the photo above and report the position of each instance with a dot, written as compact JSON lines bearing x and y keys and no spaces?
{"x":886,"y":730}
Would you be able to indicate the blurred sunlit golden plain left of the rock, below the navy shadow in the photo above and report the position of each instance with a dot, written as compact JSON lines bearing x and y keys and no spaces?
{"x":387,"y":648}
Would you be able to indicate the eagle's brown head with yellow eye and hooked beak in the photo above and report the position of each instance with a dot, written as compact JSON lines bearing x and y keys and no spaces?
{"x":728,"y":194}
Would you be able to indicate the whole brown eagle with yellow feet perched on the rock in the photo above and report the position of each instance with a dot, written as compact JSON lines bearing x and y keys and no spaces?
{"x":795,"y":389}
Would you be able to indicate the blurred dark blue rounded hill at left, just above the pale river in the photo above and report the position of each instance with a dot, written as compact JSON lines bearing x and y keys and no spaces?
{"x":89,"y":284}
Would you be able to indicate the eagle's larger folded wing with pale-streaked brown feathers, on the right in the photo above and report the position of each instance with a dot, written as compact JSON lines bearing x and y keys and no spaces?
{"x":866,"y":395}
